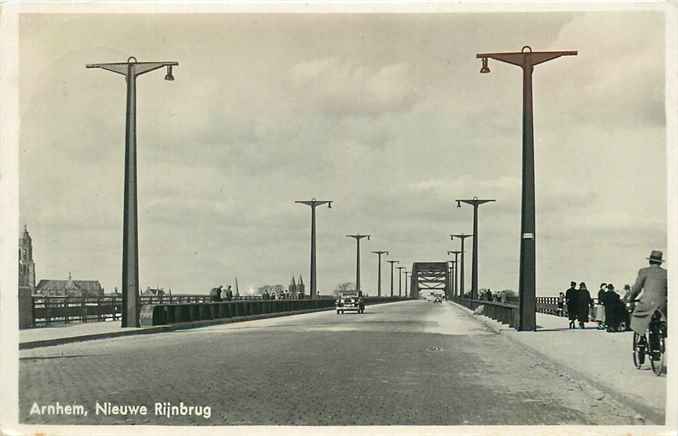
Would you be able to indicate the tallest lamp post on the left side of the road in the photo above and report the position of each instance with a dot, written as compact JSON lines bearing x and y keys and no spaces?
{"x":130,"y":239}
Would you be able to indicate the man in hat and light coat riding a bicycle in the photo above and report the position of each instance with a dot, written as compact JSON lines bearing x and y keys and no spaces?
{"x":652,"y":281}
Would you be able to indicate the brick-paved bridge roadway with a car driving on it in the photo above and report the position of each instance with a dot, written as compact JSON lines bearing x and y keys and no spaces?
{"x":401,"y":363}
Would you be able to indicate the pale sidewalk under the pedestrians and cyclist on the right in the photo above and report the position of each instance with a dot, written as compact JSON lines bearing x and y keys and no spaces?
{"x":604,"y":359}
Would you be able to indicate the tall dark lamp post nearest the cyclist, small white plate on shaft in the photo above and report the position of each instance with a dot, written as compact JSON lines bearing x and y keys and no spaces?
{"x":526,"y":59}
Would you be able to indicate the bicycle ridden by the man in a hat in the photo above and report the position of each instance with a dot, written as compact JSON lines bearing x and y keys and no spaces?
{"x":652,"y":343}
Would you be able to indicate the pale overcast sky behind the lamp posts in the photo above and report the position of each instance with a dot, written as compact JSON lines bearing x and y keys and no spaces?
{"x":387,"y":115}
